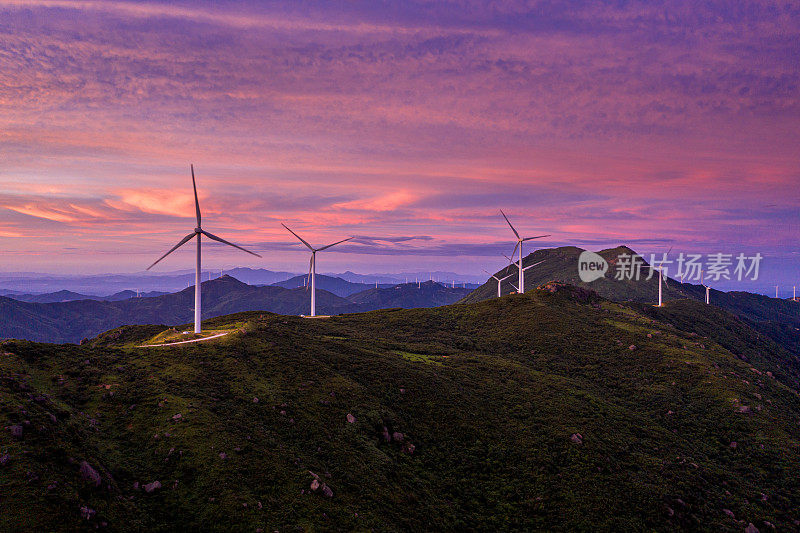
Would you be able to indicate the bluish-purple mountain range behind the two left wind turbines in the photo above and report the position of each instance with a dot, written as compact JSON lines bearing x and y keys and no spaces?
{"x":70,"y":321}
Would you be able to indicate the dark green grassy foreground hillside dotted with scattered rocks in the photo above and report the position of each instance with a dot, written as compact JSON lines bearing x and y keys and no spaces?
{"x":676,"y":431}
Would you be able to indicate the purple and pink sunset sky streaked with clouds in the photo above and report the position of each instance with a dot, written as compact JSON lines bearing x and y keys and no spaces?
{"x":408,"y":125}
